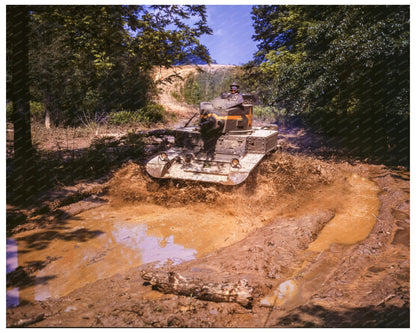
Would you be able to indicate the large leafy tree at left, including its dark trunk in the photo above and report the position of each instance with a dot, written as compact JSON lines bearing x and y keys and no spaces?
{"x":84,"y":61}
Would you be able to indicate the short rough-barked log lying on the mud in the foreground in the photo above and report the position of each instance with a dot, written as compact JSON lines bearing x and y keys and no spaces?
{"x":174,"y":283}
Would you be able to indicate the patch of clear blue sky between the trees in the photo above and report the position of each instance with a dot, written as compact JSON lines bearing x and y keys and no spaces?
{"x":231,"y":42}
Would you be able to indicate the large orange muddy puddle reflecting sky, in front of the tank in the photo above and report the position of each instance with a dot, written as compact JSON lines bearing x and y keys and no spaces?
{"x":101,"y":242}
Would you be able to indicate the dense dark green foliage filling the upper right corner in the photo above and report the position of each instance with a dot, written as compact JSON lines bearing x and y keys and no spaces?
{"x":343,"y":68}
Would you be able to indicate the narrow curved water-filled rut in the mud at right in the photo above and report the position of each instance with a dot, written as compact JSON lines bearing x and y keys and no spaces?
{"x":351,"y":224}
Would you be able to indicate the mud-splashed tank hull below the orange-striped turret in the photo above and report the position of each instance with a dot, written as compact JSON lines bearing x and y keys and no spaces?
{"x":227,"y":159}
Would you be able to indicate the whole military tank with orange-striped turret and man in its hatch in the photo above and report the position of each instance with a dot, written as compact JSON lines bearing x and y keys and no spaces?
{"x":223,"y":147}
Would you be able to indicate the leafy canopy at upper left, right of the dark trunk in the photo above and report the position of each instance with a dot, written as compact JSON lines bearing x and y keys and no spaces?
{"x":89,"y":60}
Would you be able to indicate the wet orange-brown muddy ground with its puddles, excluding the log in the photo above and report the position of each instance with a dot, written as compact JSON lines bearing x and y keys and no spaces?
{"x":323,"y":242}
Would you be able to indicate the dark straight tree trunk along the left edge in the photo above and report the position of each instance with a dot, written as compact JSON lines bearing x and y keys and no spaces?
{"x":24,"y":175}
